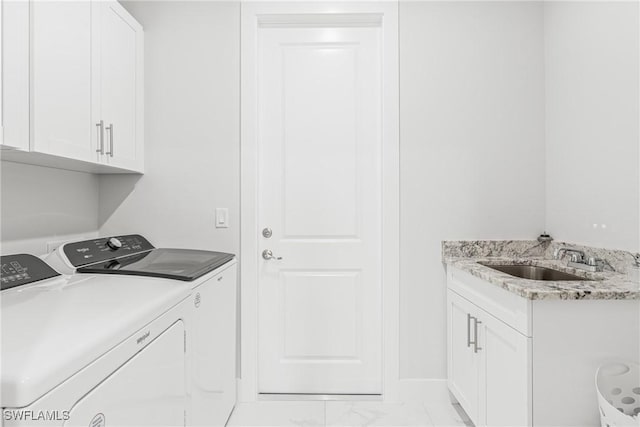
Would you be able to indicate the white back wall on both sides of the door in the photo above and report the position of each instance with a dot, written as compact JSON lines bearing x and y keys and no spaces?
{"x":465,"y":67}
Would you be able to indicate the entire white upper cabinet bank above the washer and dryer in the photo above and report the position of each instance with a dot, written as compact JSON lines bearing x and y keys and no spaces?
{"x":73,"y":85}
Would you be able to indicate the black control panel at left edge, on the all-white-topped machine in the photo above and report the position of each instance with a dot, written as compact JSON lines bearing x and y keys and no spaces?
{"x":22,"y":269}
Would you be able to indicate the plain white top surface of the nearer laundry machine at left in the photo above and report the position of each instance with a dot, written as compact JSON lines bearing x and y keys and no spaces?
{"x":54,"y":328}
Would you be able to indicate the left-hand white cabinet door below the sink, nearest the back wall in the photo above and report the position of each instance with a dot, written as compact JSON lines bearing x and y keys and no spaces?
{"x":462,"y":361}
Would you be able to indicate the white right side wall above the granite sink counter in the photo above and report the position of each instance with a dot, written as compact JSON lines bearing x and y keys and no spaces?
{"x":592,"y":114}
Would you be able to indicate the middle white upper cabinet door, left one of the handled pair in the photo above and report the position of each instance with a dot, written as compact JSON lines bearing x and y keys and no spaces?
{"x":61,"y":78}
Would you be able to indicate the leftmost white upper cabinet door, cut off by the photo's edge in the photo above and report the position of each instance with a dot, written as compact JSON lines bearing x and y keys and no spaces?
{"x":15,"y":74}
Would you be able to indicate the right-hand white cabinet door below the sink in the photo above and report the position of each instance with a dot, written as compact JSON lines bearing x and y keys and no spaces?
{"x":505,"y":374}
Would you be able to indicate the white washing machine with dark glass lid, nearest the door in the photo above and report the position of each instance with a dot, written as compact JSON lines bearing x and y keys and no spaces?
{"x":209,"y":278}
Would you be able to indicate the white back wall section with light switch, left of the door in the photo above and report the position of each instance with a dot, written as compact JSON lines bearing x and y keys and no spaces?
{"x":192,"y":96}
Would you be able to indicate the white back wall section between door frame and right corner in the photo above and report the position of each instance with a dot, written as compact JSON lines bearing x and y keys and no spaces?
{"x":472,"y":148}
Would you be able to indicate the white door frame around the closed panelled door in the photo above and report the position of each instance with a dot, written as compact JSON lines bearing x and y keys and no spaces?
{"x":300,"y":14}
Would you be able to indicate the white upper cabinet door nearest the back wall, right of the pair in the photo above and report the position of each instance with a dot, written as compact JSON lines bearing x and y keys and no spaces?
{"x":120,"y":68}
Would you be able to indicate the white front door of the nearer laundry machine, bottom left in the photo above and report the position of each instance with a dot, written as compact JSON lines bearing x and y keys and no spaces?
{"x":148,"y":390}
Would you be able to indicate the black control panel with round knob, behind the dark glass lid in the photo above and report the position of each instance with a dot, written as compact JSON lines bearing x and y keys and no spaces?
{"x":104,"y":249}
